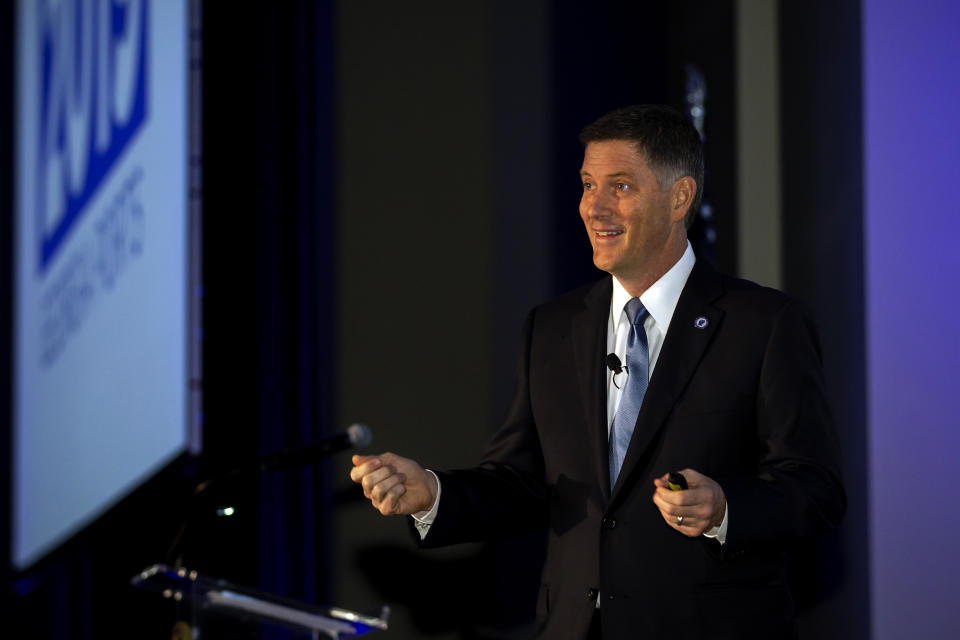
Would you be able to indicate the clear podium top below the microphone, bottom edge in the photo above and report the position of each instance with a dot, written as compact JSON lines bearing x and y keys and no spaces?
{"x":219,"y":609}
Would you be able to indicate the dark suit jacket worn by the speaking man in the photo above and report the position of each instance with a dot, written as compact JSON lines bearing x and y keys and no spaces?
{"x":741,"y":400}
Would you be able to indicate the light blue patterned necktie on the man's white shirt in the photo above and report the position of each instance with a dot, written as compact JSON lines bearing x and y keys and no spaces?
{"x":638,"y":367}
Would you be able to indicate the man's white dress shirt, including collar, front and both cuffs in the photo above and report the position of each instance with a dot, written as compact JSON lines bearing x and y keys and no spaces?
{"x":660,"y":301}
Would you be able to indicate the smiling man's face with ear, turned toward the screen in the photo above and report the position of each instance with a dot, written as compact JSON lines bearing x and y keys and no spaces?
{"x":628,"y":218}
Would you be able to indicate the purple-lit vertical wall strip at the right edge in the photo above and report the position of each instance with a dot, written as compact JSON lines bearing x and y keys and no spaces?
{"x":912,"y":244}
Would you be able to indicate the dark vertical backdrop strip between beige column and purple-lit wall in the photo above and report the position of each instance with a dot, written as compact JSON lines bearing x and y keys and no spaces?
{"x":823,"y":266}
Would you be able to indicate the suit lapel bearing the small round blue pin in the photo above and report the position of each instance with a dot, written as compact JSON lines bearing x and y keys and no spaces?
{"x":686,"y":341}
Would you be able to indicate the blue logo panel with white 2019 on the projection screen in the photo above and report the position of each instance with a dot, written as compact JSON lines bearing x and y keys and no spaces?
{"x":93,"y":86}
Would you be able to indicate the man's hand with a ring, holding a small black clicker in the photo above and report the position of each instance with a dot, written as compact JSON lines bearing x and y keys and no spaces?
{"x":694,"y":510}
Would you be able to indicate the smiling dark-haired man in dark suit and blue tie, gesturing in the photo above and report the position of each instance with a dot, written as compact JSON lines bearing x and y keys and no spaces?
{"x":725,"y":383}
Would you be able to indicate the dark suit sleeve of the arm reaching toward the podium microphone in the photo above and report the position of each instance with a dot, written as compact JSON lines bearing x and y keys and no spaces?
{"x":505,"y":493}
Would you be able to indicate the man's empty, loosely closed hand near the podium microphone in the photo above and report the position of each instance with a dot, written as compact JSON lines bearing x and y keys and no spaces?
{"x":394,"y":485}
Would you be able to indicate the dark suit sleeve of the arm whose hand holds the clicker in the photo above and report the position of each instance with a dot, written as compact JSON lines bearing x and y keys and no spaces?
{"x":797,"y":491}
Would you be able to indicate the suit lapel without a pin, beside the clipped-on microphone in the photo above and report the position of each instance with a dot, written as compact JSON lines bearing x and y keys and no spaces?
{"x":589,"y":328}
